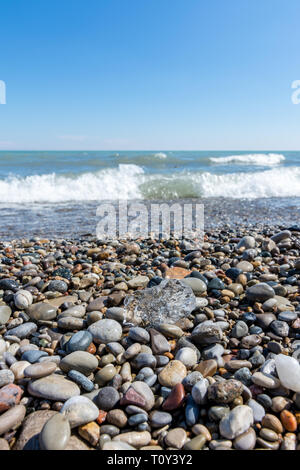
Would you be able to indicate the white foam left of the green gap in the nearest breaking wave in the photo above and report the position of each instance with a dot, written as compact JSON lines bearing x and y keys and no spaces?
{"x":112,"y":183}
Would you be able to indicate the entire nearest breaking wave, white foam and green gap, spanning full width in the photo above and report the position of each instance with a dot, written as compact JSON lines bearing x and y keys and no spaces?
{"x":131,"y":182}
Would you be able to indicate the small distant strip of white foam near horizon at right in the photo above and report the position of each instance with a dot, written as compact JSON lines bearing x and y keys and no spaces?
{"x":263,"y":159}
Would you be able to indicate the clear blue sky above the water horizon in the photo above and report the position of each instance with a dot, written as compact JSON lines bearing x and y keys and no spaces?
{"x":149,"y":74}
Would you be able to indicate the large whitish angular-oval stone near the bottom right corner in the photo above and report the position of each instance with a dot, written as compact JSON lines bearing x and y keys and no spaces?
{"x":236,"y":422}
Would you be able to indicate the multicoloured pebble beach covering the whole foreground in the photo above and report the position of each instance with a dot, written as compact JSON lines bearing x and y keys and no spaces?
{"x":151,"y":344}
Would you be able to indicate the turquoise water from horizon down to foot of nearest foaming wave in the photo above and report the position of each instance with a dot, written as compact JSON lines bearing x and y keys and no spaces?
{"x":59,"y":177}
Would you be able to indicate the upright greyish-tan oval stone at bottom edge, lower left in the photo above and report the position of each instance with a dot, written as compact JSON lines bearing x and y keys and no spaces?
{"x":55,"y":433}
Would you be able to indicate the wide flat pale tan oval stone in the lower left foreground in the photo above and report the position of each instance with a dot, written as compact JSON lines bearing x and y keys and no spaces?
{"x":53,"y":387}
